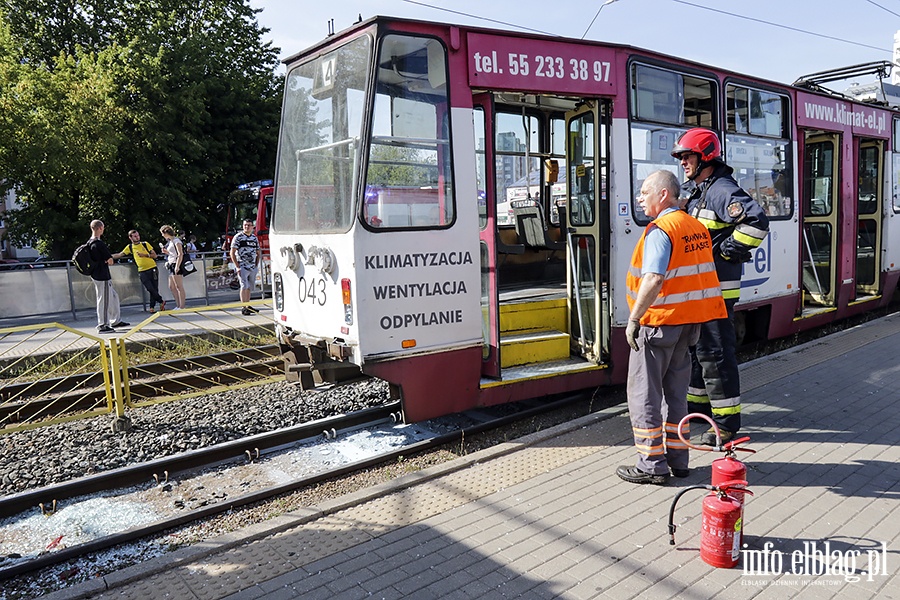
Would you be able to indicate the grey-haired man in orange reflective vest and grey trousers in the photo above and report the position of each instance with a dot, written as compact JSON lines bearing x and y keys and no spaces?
{"x":672,"y":288}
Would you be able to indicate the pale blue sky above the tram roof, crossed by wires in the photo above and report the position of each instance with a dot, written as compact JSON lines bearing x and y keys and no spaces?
{"x":864,"y":29}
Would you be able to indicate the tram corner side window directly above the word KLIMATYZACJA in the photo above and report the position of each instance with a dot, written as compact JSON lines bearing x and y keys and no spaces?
{"x":409,"y":175}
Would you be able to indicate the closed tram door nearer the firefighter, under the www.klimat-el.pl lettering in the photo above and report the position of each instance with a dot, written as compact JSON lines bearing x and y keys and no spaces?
{"x":821,"y":218}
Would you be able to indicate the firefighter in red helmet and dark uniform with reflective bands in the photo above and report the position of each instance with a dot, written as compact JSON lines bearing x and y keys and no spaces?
{"x":738,"y":225}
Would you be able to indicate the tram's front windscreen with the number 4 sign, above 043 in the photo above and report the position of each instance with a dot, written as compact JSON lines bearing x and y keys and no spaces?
{"x":319,"y":141}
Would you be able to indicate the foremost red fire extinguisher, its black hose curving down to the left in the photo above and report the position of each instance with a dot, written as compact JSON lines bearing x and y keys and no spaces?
{"x":721,"y":525}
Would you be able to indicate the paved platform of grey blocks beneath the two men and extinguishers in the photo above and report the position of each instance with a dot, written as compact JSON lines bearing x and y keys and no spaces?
{"x":546,"y":517}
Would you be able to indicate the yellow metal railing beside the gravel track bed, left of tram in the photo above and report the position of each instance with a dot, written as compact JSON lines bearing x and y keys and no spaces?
{"x":52,"y":373}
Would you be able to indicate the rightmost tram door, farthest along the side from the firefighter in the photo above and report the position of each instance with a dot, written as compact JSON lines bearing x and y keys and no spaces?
{"x":870,"y":195}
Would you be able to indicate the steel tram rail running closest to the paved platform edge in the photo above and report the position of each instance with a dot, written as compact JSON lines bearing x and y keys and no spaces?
{"x":136,"y":533}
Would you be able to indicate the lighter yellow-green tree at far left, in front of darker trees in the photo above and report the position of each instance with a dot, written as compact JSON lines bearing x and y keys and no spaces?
{"x":61,"y":129}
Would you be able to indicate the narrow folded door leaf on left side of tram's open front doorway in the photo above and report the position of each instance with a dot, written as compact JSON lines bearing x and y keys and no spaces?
{"x":487,"y":219}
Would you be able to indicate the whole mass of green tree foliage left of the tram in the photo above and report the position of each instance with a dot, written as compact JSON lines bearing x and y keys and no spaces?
{"x":137,"y":112}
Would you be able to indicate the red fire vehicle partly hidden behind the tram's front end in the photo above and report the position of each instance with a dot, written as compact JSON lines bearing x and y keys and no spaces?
{"x":251,"y":201}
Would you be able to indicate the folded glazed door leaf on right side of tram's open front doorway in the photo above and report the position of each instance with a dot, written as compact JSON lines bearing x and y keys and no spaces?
{"x":586,"y":233}
